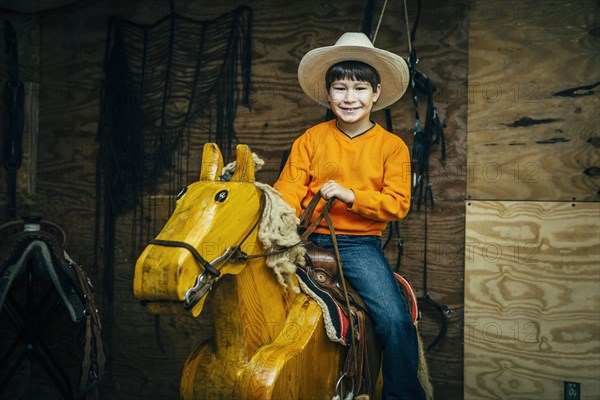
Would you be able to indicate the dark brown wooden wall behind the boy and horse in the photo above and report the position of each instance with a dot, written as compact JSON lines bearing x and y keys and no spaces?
{"x":148,"y":353}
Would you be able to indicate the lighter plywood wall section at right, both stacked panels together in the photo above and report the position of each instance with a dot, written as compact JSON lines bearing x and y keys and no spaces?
{"x":532,"y":250}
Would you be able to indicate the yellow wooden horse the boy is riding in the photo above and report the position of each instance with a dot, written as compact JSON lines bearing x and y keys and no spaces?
{"x":270,"y":341}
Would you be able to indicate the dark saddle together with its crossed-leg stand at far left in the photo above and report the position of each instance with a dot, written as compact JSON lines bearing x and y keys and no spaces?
{"x":36,"y":247}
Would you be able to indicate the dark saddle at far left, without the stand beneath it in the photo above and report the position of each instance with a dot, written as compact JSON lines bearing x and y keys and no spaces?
{"x":37,"y":243}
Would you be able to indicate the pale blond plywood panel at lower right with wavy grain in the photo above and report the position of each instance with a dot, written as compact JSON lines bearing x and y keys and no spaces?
{"x":532,"y":299}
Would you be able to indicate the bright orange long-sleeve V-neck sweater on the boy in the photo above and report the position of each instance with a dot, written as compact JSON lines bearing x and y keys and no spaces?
{"x":375,"y":165}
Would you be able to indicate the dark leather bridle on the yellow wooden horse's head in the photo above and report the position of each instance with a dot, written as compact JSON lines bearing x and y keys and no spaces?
{"x":212,"y":270}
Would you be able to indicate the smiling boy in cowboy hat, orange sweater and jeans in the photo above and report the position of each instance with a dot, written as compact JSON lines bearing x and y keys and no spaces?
{"x":367,"y":169}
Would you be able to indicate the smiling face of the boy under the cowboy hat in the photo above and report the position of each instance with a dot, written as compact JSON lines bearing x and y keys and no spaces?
{"x":351,"y":101}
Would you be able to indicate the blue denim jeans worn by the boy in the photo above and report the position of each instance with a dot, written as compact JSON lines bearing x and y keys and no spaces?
{"x":368,"y":271}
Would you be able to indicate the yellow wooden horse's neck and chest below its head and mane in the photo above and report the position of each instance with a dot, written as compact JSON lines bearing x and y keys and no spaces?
{"x":249,"y":309}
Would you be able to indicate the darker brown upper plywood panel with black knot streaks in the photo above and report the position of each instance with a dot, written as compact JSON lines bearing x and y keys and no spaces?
{"x":533,"y":101}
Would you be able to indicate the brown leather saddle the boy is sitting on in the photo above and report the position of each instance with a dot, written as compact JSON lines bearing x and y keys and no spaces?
{"x":347,"y":320}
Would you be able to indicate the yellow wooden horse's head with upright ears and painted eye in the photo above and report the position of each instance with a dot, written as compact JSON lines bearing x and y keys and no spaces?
{"x":214,"y":222}
